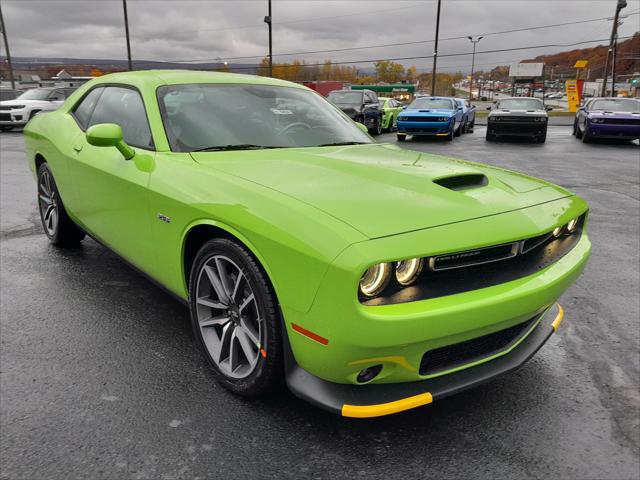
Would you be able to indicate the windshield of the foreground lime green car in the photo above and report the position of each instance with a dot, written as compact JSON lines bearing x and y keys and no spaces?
{"x":227,"y":117}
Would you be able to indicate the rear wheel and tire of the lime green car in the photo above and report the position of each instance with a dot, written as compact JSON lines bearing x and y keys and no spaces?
{"x":57,"y":225}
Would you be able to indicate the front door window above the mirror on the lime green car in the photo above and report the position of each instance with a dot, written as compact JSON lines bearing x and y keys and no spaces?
{"x":124,"y":107}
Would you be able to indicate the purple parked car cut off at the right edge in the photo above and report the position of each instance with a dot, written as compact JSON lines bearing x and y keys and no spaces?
{"x":608,"y":118}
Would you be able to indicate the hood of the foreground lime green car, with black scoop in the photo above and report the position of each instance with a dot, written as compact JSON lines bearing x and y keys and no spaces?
{"x":382,"y":190}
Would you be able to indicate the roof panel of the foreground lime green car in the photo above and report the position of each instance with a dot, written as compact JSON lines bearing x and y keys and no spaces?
{"x":157,"y":78}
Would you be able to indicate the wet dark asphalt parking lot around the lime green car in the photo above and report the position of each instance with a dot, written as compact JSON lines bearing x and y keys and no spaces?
{"x":100,"y":377}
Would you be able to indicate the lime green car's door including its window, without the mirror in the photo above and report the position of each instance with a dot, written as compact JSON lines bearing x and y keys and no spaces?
{"x":111,"y":192}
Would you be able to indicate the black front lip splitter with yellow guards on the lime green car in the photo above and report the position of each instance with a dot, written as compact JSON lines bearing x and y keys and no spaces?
{"x":378,"y":400}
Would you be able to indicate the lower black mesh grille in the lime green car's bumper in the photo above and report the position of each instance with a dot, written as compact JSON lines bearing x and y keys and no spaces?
{"x":458,"y":354}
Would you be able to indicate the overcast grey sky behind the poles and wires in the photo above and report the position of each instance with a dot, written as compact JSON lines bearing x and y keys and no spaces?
{"x":176,"y":30}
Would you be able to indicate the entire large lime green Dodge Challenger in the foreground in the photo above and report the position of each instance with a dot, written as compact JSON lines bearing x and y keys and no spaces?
{"x":372,"y":279}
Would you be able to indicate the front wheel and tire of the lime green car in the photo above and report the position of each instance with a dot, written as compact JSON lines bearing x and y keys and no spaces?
{"x":248,"y":327}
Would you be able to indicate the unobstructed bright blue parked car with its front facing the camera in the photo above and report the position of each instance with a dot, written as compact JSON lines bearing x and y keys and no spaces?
{"x":433,"y":116}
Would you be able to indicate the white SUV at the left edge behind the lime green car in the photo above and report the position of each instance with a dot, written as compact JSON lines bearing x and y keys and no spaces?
{"x":17,"y":112}
